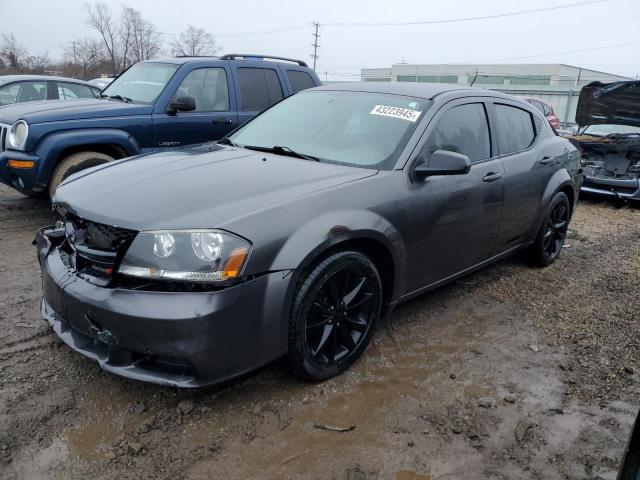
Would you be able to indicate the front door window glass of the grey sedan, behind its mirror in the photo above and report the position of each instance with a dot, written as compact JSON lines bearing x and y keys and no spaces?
{"x":462,"y":129}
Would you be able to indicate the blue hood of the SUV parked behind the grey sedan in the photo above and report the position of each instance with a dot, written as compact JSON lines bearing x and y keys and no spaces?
{"x":61,"y":110}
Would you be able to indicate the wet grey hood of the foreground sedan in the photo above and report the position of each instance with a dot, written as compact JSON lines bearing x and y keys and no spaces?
{"x":187,"y":188}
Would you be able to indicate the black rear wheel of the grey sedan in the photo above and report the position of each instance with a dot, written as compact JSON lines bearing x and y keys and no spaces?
{"x":550,"y":239}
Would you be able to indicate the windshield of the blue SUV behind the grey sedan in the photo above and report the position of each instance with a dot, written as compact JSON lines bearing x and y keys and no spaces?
{"x":142,"y":83}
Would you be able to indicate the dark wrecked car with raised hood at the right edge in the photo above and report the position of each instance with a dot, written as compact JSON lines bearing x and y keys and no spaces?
{"x":608,"y":116}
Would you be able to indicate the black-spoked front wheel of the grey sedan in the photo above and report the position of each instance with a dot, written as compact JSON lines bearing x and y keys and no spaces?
{"x":335,"y":312}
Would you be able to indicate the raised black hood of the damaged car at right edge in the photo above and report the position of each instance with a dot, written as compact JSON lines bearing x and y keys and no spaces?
{"x":613,"y":103}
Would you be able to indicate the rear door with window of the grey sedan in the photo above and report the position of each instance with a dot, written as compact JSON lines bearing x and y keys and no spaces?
{"x":528,"y":169}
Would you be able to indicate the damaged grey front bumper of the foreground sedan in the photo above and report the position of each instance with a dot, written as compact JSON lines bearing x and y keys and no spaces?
{"x":181,"y":339}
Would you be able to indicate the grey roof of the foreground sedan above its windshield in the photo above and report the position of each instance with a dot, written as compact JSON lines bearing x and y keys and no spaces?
{"x":411,"y":89}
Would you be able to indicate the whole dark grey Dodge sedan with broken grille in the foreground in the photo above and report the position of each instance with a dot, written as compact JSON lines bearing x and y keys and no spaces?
{"x":295,"y":233}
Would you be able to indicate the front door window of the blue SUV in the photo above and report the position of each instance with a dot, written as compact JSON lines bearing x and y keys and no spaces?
{"x":208,"y":87}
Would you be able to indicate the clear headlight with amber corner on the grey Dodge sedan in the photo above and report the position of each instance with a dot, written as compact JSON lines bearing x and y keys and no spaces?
{"x":186,"y":255}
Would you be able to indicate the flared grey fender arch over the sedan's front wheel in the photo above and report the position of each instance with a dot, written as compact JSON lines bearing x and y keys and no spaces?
{"x":326,"y":231}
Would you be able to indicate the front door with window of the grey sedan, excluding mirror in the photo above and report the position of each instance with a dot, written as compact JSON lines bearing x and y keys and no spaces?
{"x":455,"y":219}
